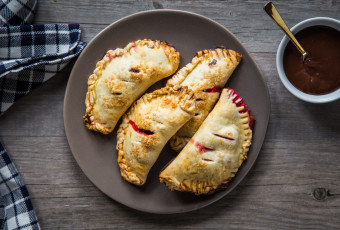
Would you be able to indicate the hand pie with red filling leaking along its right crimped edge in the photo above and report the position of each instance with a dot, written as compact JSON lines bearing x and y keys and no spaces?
{"x":214,"y":154}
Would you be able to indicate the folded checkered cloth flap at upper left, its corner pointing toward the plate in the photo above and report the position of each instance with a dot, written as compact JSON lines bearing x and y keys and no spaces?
{"x":31,"y":54}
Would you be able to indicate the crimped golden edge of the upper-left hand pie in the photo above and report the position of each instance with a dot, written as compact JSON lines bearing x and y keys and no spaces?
{"x":89,"y":117}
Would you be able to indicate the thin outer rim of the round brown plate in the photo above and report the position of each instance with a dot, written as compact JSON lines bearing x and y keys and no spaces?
{"x":108,"y":27}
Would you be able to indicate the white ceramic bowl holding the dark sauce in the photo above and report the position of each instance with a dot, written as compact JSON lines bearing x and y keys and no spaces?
{"x":279,"y":61}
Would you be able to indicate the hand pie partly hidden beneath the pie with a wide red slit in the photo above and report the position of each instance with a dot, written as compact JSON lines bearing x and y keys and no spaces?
{"x":206,"y":76}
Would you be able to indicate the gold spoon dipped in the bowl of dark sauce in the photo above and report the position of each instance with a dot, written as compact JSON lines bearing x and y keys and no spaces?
{"x":274,"y":14}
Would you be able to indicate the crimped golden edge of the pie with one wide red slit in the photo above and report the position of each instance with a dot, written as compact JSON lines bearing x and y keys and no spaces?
{"x":127,"y":173}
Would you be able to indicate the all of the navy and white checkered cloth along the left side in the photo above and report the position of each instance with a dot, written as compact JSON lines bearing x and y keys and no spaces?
{"x":29,"y":56}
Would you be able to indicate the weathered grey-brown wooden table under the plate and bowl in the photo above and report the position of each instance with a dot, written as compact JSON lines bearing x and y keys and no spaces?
{"x":294,"y":184}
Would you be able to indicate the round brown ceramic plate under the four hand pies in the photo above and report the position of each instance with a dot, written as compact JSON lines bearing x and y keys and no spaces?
{"x":96,"y":153}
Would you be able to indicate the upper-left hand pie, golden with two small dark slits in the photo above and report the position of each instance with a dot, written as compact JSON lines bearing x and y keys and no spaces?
{"x":122,"y":76}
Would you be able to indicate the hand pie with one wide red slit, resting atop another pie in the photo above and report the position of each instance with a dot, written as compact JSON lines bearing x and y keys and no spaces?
{"x":148,"y":126}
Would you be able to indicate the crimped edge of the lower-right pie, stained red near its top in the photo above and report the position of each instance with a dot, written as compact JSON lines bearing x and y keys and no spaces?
{"x":203,"y":187}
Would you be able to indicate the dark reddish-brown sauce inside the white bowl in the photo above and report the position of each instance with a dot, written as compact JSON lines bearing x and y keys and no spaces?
{"x":320,"y":72}
